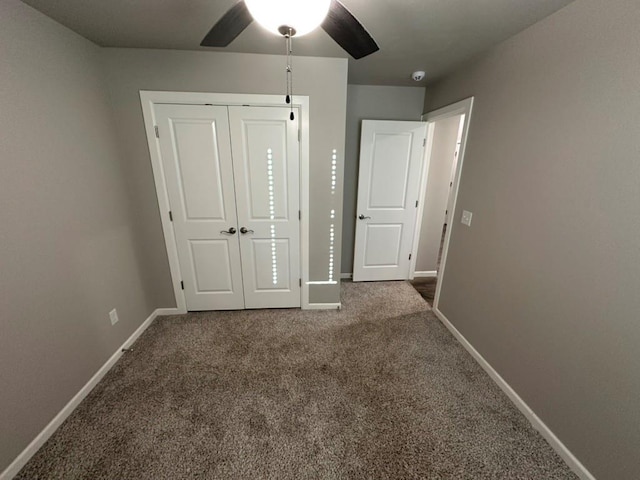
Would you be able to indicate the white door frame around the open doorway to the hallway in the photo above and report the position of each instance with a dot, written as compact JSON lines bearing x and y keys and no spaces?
{"x":463,"y":107}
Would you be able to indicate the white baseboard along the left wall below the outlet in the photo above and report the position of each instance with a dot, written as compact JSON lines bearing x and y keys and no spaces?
{"x":22,"y":459}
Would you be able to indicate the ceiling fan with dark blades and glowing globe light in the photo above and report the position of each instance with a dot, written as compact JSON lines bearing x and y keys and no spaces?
{"x":294,"y":18}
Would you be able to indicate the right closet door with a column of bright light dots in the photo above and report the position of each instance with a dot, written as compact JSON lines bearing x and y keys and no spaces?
{"x":266,"y":167}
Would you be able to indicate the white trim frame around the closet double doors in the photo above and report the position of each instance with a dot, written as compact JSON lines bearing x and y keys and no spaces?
{"x":149,"y":99}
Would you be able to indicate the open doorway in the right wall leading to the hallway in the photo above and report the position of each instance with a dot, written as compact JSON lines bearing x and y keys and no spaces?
{"x":443,"y":155}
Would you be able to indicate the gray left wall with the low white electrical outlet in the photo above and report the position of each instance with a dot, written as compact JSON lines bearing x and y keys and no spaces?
{"x":67,"y":252}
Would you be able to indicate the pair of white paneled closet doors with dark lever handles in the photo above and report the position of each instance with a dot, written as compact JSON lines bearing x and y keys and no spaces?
{"x":232,"y":179}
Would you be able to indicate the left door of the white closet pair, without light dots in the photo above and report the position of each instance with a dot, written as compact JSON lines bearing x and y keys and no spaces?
{"x":196,"y":155}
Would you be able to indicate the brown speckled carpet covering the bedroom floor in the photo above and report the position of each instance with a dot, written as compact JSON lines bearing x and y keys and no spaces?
{"x":377,"y":390}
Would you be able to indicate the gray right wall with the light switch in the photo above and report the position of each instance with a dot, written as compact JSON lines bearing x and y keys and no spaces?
{"x":545,"y":282}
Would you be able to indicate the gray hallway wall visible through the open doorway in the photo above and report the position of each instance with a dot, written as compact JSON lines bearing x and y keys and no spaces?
{"x":445,"y":137}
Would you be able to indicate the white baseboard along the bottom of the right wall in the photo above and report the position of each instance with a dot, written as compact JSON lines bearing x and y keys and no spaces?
{"x":560,"y":448}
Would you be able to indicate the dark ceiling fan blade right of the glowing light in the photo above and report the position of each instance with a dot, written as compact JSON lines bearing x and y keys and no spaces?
{"x":348,"y":32}
